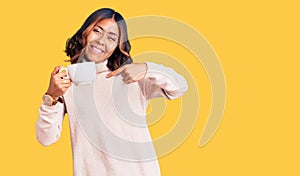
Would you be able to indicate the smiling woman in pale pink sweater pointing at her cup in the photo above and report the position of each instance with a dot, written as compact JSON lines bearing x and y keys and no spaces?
{"x":120,"y":95}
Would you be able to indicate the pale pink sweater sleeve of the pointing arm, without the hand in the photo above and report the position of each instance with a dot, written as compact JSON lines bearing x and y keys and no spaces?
{"x":161,"y":81}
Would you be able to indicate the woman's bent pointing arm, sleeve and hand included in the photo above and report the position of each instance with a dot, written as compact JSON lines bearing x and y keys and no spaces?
{"x":154,"y":80}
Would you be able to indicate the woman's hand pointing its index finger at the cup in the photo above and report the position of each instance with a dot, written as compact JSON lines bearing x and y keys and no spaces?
{"x":130,"y":72}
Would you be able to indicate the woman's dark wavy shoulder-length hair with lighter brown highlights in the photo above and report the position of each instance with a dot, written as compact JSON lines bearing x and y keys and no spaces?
{"x":120,"y":56}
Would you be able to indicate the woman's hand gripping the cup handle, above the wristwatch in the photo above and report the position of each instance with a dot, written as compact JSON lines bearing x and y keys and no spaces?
{"x":58,"y":85}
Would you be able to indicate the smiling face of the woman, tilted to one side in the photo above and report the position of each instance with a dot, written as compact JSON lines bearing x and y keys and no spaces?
{"x":102,"y":40}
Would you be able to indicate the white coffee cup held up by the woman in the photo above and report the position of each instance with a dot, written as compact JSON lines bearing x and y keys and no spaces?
{"x":81,"y":73}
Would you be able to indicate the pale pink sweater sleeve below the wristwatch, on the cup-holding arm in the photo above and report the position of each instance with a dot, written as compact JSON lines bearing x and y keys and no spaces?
{"x":49,"y":123}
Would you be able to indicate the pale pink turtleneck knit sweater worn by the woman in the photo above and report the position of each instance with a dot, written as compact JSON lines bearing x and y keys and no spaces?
{"x":109,"y":132}
